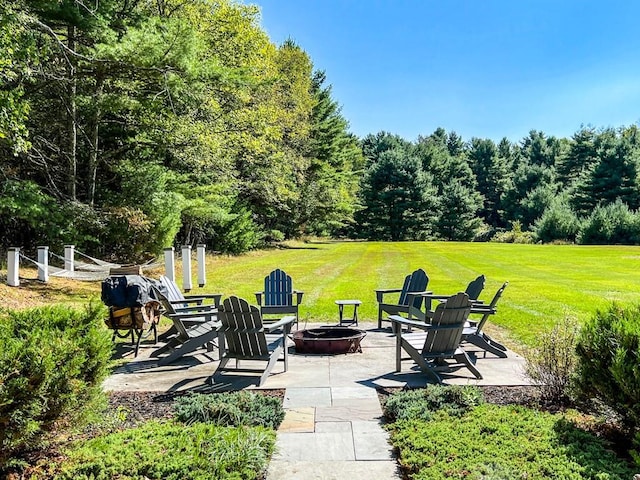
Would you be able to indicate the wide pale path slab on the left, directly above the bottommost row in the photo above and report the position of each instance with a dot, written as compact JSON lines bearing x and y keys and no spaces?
{"x":323,"y":446}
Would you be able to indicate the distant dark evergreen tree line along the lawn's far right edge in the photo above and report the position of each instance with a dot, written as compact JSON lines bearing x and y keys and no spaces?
{"x":584,"y":189}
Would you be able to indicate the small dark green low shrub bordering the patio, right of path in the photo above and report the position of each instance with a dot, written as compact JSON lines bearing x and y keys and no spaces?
{"x":420,"y":404}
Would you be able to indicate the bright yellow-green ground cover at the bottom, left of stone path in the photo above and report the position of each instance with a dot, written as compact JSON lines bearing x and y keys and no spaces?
{"x":170,"y":451}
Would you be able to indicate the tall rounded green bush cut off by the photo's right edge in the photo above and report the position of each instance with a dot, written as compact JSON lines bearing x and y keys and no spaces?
{"x":607,"y":368}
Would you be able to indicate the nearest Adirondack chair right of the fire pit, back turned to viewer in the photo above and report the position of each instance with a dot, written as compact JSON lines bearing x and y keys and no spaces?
{"x":439,"y":341}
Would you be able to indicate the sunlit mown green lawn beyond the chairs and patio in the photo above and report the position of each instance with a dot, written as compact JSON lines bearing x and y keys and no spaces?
{"x":546,"y":282}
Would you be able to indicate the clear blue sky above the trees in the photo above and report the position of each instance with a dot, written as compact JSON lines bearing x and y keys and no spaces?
{"x":482,"y":68}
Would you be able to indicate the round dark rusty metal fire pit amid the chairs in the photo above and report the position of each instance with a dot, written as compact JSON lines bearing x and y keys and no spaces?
{"x":328,"y":340}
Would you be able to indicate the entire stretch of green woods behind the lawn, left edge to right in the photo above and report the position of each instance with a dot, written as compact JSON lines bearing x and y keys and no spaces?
{"x":127,"y":126}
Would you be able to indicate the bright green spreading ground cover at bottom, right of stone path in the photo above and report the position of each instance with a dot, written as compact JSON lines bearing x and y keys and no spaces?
{"x":498,"y":442}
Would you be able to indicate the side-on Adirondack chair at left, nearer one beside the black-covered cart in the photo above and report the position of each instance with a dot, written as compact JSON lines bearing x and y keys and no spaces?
{"x":195,"y":327}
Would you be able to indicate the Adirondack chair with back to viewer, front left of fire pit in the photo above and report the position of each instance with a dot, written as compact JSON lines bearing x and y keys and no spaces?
{"x":246,"y":338}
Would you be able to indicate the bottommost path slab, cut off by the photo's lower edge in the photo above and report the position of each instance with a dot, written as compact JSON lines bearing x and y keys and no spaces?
{"x":338,"y":470}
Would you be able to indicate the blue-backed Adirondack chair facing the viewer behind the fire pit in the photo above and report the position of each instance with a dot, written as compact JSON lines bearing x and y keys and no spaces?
{"x":278,"y":295}
